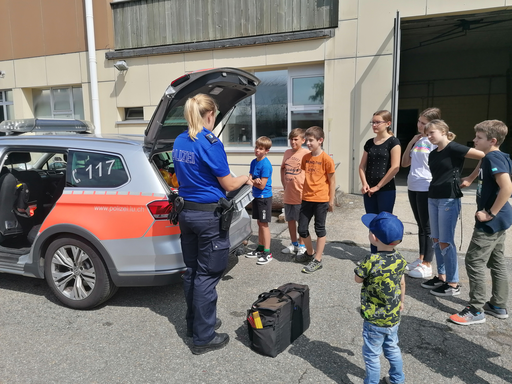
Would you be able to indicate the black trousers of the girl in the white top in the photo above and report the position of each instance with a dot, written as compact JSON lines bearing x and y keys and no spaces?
{"x":419,"y":205}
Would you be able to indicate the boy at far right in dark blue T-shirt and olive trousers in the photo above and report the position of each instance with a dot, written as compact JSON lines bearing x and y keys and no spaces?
{"x":492,"y":219}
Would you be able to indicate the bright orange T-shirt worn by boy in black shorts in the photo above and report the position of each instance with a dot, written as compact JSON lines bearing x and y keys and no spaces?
{"x":316,"y":180}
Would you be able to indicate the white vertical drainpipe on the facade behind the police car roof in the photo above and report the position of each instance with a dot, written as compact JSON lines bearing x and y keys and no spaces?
{"x":93,"y":74}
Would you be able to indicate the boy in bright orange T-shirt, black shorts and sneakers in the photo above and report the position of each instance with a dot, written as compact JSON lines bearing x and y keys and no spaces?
{"x":317,"y":198}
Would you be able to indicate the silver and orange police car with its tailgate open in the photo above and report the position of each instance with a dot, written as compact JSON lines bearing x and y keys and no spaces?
{"x":89,"y":213}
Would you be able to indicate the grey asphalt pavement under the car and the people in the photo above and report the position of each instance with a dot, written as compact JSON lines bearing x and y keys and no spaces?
{"x":139,"y":336}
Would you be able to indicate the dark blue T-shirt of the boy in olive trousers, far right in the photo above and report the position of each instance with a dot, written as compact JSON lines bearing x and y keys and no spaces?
{"x":487,"y":190}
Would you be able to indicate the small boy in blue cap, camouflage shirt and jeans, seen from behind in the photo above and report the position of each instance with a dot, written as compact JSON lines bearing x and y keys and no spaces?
{"x":382,"y":297}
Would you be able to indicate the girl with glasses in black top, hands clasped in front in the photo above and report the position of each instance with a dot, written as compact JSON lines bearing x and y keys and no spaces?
{"x":379,"y":165}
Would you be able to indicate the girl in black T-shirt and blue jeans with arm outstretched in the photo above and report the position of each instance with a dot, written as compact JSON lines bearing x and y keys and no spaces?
{"x":446,"y":163}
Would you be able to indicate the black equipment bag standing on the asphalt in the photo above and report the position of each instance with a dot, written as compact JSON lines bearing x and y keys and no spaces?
{"x":284,"y":315}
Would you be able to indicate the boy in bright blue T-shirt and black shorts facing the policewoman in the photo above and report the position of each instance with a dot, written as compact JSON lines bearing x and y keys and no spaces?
{"x":261,"y":174}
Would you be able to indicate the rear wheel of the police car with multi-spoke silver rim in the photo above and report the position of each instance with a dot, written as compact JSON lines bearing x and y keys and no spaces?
{"x":76,"y":274}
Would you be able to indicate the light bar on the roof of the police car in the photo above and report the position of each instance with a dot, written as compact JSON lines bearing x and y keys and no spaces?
{"x":17,"y":127}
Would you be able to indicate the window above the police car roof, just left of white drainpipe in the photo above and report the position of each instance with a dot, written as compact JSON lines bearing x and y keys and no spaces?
{"x":65,"y":103}
